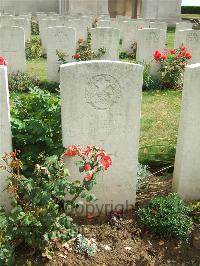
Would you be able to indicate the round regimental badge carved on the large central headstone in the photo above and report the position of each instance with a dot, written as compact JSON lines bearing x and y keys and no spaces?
{"x":103,"y":92}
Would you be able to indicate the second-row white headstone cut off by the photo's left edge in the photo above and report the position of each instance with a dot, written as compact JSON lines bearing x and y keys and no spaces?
{"x":12,"y":48}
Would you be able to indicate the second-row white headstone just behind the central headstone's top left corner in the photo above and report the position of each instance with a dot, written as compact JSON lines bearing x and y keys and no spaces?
{"x":64,"y":40}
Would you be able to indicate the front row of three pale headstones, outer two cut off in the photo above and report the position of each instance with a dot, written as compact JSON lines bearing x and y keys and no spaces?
{"x":103,"y":108}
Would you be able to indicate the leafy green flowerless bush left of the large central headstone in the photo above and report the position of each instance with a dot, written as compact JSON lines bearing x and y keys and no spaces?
{"x":36,"y":125}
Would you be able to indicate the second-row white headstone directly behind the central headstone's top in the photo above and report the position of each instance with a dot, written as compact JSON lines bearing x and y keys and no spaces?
{"x":107,"y":38}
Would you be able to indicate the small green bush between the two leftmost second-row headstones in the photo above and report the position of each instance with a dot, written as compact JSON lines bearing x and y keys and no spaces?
{"x":33,"y":48}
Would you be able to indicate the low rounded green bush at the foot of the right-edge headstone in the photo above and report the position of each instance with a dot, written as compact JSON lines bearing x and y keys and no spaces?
{"x":167,"y":216}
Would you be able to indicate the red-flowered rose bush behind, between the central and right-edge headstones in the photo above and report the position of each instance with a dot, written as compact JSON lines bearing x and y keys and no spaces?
{"x":171,"y":67}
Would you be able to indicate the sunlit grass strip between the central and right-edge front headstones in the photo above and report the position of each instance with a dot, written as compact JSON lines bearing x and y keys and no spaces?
{"x":159,"y":126}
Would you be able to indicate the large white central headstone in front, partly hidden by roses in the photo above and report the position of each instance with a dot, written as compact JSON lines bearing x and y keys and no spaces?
{"x":102,"y":107}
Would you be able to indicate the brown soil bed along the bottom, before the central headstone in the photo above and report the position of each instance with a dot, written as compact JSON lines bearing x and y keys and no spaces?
{"x":129,"y":245}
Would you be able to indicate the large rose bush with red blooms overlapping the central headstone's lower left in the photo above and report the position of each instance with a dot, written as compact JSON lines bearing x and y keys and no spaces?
{"x":41,"y":211}
